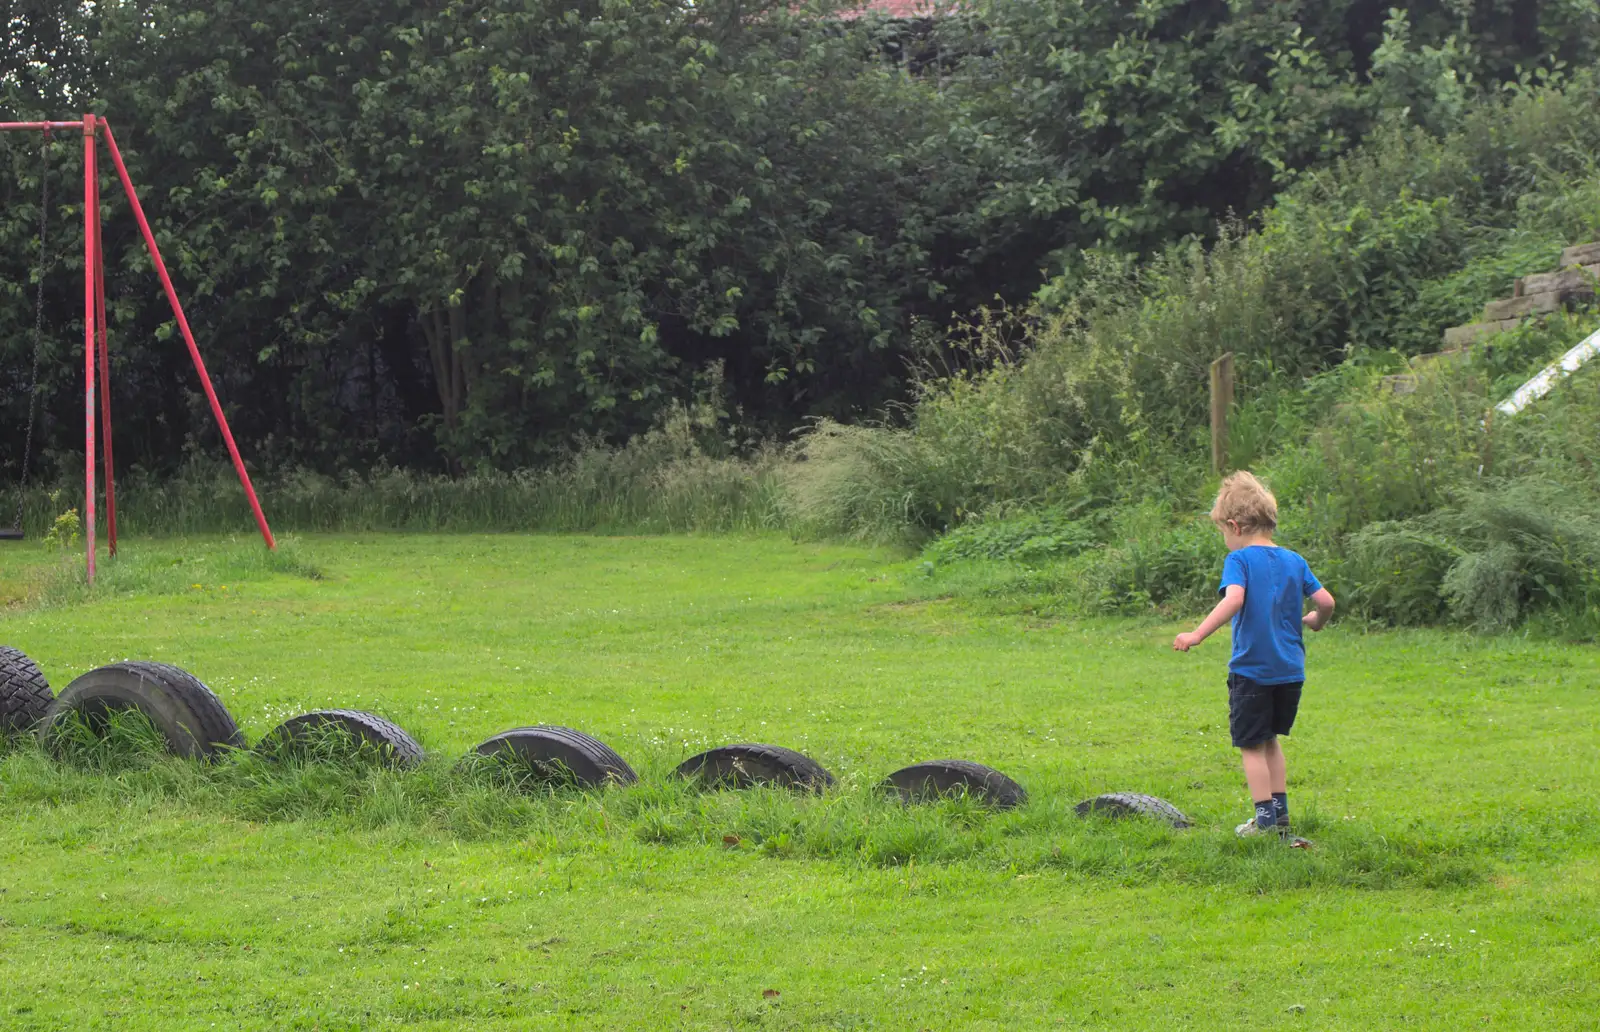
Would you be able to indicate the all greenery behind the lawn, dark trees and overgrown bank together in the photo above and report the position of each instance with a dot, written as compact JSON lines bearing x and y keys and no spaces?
{"x":586,"y":265}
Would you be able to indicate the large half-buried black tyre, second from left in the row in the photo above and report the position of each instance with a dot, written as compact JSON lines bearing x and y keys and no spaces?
{"x":188,"y":714}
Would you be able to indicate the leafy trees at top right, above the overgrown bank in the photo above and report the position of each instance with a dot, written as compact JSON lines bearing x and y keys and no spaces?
{"x":1161,"y":119}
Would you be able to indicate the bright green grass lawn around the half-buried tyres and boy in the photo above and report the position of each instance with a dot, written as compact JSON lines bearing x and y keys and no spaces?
{"x":1449,"y":782}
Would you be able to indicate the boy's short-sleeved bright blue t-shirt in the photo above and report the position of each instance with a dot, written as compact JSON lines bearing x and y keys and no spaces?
{"x":1268,"y":646}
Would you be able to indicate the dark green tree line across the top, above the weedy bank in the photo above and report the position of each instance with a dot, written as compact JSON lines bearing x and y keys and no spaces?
{"x":470,"y":234}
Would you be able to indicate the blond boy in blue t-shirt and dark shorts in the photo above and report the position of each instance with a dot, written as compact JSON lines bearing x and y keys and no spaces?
{"x":1263,"y":593}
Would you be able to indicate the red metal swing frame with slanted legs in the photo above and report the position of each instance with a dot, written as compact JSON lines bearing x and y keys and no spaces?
{"x":95,"y":350}
